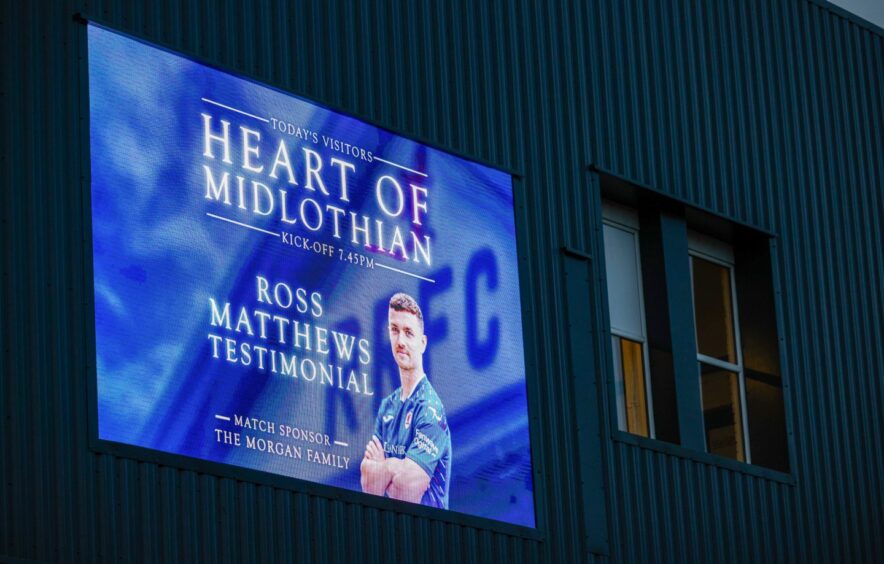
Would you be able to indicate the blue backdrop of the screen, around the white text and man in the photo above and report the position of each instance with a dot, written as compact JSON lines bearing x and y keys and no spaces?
{"x":158,"y":258}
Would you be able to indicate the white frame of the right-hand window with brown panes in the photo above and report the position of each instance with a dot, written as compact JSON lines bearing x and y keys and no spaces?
{"x":718,"y":252}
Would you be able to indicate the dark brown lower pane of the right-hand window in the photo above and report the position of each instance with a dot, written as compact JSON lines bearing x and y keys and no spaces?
{"x":722,"y":417}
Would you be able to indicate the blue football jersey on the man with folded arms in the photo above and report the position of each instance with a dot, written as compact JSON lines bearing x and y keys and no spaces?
{"x":417,"y":428}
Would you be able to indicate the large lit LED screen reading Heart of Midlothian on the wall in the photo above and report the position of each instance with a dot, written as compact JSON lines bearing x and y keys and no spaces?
{"x":284,"y":288}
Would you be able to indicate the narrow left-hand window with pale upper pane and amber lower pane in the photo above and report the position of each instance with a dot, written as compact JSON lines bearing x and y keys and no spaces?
{"x":629,"y":341}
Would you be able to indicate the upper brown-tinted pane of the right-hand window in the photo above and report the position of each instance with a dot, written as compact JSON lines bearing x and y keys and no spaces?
{"x":713,"y":310}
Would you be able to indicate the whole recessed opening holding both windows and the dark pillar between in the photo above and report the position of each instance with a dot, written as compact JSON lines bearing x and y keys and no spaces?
{"x":694,"y":345}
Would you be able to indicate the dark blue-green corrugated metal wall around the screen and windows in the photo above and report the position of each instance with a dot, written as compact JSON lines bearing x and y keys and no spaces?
{"x":768,"y":112}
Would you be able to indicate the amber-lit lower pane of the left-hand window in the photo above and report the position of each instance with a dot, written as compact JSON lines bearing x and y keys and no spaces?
{"x":632,"y":407}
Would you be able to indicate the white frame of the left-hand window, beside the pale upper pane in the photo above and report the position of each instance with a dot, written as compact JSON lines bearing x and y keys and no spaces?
{"x":626,"y":219}
